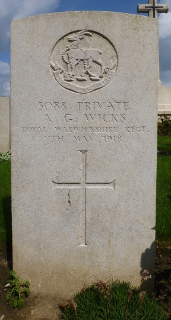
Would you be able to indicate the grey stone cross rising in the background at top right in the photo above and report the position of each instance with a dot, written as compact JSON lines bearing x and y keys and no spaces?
{"x":152,"y":8}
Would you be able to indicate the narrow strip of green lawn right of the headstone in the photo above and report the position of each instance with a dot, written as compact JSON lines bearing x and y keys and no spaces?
{"x":163,"y":210}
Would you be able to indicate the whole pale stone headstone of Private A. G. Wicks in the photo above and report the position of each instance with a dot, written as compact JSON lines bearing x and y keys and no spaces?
{"x":84,"y":116}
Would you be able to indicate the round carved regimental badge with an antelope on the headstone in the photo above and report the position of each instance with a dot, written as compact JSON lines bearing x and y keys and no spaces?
{"x":83,"y":61}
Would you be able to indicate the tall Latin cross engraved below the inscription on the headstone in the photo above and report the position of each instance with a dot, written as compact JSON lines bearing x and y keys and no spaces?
{"x":83,"y":185}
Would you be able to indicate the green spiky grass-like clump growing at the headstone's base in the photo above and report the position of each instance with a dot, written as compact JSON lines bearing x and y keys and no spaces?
{"x":116,"y":301}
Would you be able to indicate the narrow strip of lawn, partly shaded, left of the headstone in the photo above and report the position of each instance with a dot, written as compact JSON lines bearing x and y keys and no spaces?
{"x":5,"y":201}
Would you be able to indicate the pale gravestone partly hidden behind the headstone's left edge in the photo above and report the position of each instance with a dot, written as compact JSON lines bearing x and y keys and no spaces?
{"x":4,"y":125}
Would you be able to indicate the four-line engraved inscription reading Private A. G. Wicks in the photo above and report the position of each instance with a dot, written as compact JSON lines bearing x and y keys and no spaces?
{"x":86,"y":121}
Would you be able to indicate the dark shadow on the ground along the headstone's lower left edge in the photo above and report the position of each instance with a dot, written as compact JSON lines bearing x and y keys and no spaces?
{"x":6,"y":205}
